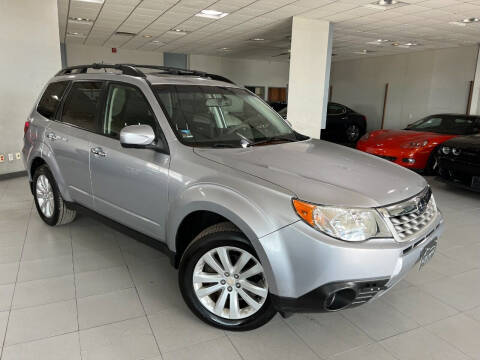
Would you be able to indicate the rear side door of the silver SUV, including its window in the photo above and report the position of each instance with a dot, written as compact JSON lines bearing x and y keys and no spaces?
{"x":69,"y":137}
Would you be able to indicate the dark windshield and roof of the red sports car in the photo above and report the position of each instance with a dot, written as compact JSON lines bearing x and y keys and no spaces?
{"x":447,"y":124}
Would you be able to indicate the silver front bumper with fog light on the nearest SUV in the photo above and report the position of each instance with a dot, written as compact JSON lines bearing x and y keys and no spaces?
{"x":305,"y":267}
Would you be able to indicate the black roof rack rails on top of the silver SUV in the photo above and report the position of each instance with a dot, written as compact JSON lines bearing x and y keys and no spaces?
{"x":133,"y":70}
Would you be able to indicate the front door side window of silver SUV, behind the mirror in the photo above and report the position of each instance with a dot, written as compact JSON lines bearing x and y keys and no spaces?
{"x":126,"y":106}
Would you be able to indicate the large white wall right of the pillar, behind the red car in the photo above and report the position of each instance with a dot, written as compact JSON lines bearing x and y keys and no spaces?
{"x":420,"y":83}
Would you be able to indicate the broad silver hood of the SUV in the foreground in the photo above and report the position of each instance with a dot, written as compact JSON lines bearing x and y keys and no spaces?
{"x":324,"y":173}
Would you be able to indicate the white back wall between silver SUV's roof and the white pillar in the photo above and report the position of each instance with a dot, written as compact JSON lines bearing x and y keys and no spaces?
{"x":243,"y":72}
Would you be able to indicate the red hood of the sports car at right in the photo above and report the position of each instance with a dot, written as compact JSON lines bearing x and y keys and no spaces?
{"x":396,"y":138}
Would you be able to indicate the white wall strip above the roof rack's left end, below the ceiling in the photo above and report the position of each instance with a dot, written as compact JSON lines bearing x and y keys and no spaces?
{"x":78,"y":54}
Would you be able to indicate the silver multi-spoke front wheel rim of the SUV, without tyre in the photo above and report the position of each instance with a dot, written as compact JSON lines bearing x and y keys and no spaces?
{"x":230,"y":282}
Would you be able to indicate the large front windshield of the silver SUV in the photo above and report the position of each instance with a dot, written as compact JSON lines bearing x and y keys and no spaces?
{"x":221,"y":116}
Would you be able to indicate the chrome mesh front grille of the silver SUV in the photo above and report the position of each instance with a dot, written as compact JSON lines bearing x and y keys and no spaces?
{"x":412,"y":216}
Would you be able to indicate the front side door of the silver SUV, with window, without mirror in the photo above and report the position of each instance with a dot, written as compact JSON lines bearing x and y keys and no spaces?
{"x":129,"y":185}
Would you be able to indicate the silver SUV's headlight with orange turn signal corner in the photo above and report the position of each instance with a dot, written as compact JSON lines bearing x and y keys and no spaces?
{"x":343,"y":223}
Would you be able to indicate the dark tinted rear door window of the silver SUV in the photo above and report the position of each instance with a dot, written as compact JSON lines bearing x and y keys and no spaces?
{"x":83,"y":104}
